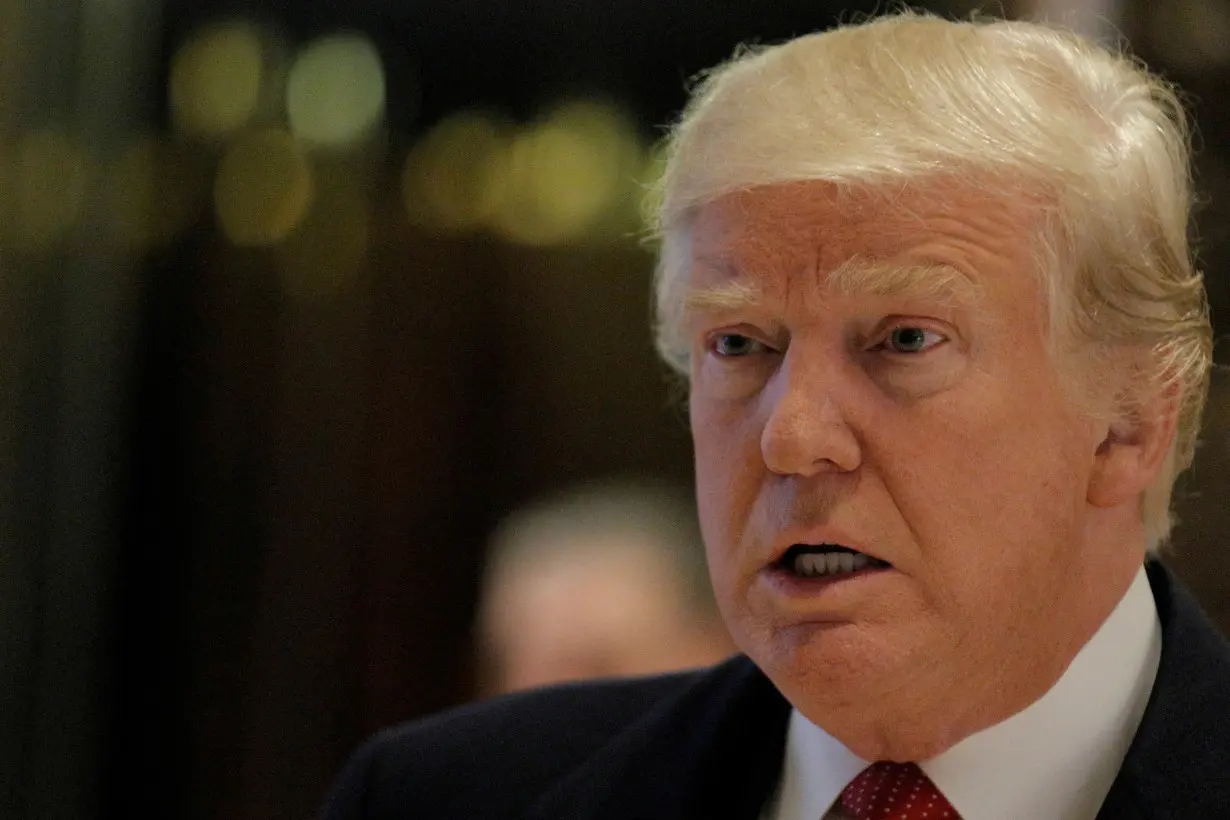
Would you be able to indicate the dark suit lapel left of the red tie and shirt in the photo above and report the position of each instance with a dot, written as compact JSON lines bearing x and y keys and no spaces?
{"x":714,"y":752}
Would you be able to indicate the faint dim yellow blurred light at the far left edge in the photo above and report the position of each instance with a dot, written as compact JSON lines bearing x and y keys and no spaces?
{"x":46,"y":183}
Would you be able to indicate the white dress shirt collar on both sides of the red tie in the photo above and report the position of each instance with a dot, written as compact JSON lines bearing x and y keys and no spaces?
{"x":1055,"y":760}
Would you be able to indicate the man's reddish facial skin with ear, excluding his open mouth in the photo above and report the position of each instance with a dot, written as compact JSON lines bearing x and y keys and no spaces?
{"x":923,"y":425}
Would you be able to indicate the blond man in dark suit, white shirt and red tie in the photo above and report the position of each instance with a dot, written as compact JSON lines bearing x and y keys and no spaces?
{"x":946,"y":355}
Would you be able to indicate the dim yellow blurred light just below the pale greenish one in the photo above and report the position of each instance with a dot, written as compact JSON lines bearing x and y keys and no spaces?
{"x":264,"y":187}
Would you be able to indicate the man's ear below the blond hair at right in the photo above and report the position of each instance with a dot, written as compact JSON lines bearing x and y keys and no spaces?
{"x":1135,"y":449}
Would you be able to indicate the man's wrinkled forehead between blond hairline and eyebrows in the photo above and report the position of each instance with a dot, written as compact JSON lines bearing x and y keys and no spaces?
{"x":927,"y":242}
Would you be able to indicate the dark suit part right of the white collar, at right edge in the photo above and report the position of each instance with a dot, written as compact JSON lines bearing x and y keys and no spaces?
{"x":1178,"y":764}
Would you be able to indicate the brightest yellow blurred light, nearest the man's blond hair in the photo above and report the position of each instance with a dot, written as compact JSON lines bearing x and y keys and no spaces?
{"x":569,"y":173}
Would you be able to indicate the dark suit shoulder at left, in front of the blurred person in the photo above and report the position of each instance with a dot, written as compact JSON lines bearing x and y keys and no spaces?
{"x":493,"y":758}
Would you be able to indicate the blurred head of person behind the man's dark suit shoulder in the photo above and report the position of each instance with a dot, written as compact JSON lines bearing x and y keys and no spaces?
{"x":603,"y":581}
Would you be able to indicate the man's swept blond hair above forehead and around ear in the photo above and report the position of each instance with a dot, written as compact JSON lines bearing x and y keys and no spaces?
{"x":910,"y":99}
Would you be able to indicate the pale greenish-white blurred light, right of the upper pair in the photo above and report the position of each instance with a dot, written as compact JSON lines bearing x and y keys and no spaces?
{"x":336,"y":92}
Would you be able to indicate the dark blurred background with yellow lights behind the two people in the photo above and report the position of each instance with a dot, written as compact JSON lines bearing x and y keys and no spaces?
{"x":300,"y":301}
